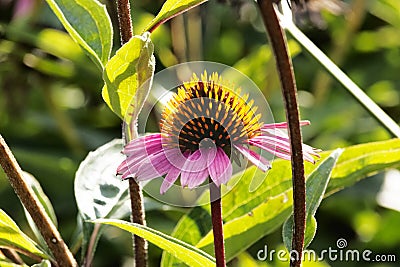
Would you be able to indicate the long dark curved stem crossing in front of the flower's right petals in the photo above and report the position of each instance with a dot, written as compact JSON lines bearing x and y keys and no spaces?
{"x":289,"y":91}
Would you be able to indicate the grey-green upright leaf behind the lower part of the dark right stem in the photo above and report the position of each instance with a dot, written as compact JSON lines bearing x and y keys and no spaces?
{"x":315,"y":190}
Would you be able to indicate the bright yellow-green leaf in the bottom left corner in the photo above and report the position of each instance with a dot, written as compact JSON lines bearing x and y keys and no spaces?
{"x":12,"y":237}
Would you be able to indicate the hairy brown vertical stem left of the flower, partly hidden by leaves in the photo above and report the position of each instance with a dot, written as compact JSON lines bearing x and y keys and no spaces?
{"x":135,"y":191}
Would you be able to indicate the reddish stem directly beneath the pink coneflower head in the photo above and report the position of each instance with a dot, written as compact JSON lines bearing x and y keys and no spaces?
{"x":216,"y":219}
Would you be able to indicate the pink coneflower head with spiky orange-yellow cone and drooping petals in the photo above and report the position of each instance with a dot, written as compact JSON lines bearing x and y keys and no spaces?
{"x":203,"y":127}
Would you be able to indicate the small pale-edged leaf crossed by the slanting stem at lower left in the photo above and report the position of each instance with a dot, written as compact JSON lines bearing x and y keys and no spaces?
{"x":44,"y":200}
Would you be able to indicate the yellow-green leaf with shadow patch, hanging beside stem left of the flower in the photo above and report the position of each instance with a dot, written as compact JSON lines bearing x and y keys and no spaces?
{"x":128,"y":77}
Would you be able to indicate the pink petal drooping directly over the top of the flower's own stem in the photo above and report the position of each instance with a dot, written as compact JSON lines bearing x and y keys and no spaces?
{"x":219,"y":167}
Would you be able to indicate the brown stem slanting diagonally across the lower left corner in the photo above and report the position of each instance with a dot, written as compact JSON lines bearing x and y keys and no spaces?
{"x":49,"y":232}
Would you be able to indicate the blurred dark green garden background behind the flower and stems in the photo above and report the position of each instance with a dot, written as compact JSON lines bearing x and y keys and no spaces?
{"x":52,"y":113}
